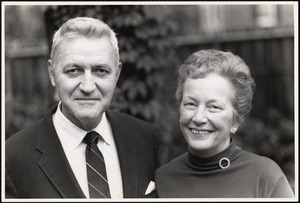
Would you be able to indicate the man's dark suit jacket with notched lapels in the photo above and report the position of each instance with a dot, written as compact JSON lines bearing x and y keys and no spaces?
{"x":36,"y":165}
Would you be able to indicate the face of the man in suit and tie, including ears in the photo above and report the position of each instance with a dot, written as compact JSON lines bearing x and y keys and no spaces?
{"x":85,"y":75}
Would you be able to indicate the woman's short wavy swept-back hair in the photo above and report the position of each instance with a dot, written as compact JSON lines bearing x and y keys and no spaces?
{"x":226,"y":64}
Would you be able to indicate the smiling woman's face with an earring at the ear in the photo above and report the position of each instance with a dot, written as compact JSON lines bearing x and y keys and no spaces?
{"x":206,"y":114}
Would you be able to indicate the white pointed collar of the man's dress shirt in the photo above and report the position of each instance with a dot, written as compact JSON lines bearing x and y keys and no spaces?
{"x":73,"y":135}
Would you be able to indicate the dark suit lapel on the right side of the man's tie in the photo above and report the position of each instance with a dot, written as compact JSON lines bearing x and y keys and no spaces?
{"x":127,"y":154}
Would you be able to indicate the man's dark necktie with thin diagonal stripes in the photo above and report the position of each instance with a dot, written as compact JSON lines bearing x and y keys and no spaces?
{"x":96,"y":172}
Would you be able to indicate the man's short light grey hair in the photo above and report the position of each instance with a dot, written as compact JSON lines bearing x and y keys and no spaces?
{"x":83,"y":27}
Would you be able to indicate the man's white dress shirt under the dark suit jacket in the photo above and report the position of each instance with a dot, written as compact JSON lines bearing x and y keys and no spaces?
{"x":71,"y":138}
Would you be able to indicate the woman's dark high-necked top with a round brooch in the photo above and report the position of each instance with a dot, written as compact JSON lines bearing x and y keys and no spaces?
{"x":248,"y":176}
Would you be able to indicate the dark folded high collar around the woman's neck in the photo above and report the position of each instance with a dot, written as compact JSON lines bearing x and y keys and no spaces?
{"x":212,"y":163}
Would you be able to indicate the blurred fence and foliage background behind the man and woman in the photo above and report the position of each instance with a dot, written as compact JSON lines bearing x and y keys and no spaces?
{"x":154,"y":40}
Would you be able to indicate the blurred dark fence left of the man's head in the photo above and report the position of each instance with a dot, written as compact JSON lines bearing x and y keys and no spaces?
{"x":28,"y":92}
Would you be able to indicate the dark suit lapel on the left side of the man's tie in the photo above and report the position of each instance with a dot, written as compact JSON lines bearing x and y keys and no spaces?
{"x":54,"y":162}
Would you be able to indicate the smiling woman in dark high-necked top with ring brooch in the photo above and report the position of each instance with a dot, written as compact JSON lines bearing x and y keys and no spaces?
{"x":215,"y":93}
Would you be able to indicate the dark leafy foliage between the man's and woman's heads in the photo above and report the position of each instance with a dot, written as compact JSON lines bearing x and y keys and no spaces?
{"x":146,"y":86}
